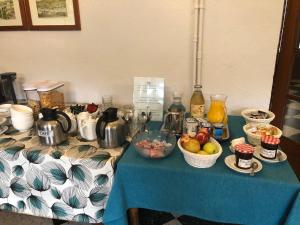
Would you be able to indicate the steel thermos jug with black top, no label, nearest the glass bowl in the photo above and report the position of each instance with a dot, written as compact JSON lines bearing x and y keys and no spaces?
{"x":111,"y":131}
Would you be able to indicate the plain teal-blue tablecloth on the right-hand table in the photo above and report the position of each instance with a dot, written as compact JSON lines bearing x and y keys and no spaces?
{"x":217,"y":193}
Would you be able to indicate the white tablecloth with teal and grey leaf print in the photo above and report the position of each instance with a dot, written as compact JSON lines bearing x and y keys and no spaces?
{"x":68,"y":182}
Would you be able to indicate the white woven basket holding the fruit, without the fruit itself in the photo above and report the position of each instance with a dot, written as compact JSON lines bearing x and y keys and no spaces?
{"x":201,"y":161}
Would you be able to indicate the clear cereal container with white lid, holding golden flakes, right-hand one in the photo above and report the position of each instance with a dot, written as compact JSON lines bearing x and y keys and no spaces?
{"x":51,"y":94}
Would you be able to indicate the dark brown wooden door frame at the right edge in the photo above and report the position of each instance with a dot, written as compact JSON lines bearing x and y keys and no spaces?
{"x":283,"y":71}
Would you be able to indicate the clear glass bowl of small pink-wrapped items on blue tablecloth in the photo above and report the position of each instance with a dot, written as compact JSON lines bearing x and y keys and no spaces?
{"x":154,"y":144}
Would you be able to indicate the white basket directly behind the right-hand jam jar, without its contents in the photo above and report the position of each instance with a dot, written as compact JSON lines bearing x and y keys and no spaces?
{"x":255,"y":139}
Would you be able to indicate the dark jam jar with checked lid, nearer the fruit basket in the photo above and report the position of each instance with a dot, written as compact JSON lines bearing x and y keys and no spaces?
{"x":243,"y":155}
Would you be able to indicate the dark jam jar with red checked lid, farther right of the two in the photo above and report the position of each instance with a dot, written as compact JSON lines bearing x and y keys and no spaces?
{"x":269,"y":146}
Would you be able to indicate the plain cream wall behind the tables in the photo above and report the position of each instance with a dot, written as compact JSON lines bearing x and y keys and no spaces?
{"x":121,"y":39}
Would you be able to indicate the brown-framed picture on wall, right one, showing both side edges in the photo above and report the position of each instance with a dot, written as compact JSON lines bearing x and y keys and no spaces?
{"x":53,"y":14}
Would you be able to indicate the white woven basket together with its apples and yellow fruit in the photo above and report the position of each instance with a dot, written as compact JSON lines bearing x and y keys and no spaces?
{"x":201,"y":151}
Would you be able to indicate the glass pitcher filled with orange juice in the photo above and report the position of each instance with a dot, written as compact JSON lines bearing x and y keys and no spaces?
{"x":217,"y":112}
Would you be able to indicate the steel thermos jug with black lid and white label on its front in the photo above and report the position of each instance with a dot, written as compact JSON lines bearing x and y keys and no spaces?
{"x":53,"y":127}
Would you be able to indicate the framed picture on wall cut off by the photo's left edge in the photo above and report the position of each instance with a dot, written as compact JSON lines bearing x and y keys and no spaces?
{"x":12,"y":15}
